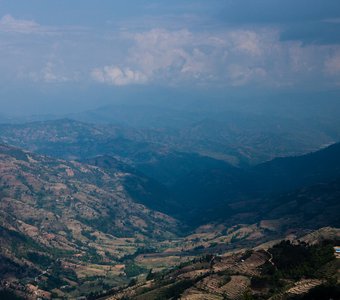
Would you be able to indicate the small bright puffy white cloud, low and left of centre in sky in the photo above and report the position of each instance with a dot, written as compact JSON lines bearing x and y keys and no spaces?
{"x":116,"y":76}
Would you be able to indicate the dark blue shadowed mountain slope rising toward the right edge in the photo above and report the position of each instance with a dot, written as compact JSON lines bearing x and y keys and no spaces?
{"x":210,"y":190}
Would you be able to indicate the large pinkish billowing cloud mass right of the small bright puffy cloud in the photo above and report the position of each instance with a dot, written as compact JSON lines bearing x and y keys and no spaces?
{"x":182,"y":56}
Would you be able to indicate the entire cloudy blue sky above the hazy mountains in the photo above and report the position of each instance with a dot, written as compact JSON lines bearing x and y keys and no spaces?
{"x":69,"y":55}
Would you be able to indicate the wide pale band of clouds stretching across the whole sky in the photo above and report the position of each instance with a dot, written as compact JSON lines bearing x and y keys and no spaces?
{"x":228,"y":56}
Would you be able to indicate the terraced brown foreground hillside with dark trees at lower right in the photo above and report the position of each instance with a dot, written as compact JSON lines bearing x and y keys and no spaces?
{"x":289,"y":269}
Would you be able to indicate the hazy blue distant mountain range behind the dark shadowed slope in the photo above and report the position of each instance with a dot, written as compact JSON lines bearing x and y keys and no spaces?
{"x":240,"y":139}
